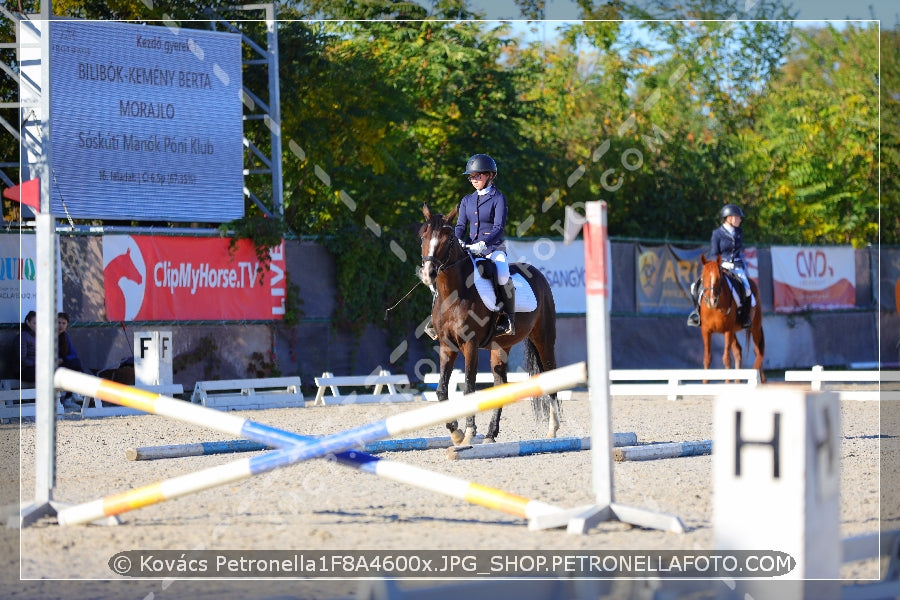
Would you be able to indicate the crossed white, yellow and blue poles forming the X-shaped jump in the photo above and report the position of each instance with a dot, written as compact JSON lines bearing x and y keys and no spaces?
{"x":297,"y":450}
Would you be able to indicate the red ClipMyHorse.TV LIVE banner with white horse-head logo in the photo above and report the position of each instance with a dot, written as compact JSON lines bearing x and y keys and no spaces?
{"x":149,"y":278}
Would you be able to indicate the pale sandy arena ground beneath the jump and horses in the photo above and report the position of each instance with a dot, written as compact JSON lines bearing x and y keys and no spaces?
{"x":319,"y":505}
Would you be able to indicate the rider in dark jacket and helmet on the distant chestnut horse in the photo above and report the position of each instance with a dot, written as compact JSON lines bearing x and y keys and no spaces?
{"x":727,"y":241}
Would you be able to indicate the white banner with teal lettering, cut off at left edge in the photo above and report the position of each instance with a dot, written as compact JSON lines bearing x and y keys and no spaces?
{"x":18,"y":277}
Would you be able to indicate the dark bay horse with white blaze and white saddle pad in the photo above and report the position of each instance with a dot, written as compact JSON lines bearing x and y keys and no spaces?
{"x":464,"y":324}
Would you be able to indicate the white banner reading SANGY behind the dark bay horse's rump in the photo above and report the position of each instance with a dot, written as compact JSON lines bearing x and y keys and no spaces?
{"x":562,"y":265}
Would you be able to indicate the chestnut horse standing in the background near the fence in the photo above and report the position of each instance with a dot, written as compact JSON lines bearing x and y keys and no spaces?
{"x":718,"y":314}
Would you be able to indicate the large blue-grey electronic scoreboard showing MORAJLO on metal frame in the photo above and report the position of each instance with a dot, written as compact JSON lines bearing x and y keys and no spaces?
{"x":146,"y":123}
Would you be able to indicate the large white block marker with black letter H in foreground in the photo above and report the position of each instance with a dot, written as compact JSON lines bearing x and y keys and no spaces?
{"x":776,"y":474}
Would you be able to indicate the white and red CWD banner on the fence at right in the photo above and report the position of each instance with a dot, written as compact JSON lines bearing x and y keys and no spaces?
{"x":810,"y":277}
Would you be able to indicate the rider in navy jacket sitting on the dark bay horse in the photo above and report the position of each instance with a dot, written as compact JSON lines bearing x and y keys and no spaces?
{"x":481,"y":224}
